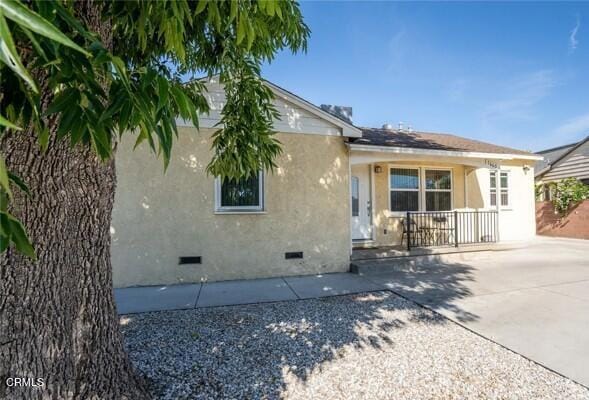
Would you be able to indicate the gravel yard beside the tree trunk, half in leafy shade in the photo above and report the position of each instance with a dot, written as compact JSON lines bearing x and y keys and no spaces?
{"x":368,"y":346}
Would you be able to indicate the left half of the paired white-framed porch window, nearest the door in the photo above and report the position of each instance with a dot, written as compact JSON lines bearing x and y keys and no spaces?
{"x":404,"y":183}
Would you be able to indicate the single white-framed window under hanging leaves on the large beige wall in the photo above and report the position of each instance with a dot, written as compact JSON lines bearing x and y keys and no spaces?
{"x":240,"y":195}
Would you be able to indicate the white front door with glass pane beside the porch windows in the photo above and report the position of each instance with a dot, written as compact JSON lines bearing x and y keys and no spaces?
{"x":361,"y":205}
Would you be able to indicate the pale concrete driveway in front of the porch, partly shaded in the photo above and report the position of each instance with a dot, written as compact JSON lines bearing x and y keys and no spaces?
{"x":533,"y":300}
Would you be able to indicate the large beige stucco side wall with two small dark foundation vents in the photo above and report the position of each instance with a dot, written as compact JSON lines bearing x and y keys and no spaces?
{"x":158,"y":218}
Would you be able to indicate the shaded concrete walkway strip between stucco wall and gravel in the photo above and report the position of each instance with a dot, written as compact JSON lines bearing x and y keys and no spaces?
{"x":180,"y":297}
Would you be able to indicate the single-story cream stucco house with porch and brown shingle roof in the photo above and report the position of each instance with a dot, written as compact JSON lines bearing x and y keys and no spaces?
{"x":336,"y":186}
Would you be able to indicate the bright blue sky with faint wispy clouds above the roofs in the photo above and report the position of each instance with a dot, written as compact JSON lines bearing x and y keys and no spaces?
{"x":514,"y":74}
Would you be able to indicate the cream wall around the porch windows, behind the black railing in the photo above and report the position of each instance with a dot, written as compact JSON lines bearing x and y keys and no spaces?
{"x":516,"y":222}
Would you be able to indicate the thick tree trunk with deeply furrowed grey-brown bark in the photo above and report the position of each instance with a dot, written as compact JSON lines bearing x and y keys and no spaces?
{"x":58,"y":321}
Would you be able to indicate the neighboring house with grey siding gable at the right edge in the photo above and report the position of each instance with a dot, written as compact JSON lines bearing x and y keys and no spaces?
{"x":569,"y":161}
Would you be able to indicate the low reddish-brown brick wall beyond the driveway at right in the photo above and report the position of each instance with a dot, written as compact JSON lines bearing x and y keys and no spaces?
{"x":574,"y":225}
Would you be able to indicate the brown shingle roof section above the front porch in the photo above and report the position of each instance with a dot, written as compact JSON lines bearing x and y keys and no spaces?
{"x":429,"y":140}
